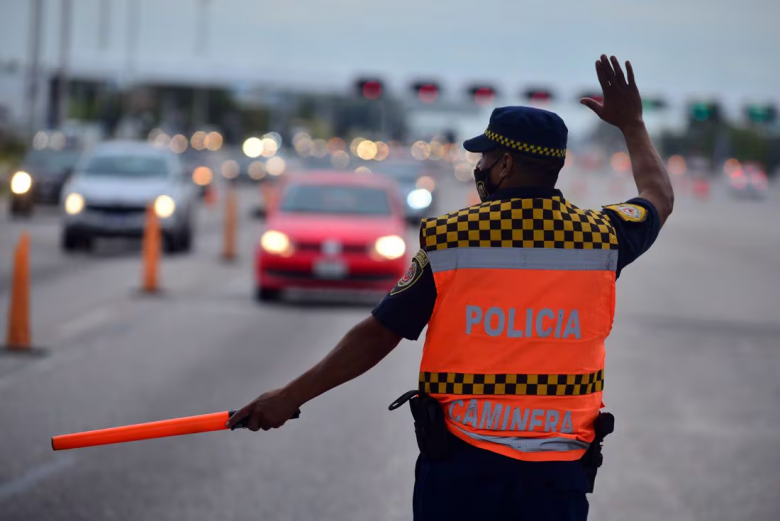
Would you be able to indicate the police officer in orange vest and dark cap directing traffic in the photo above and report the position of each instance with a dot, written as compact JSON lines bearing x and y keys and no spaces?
{"x":518,"y":296}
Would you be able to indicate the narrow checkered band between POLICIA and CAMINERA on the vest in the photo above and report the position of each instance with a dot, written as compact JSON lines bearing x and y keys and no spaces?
{"x":512,"y":384}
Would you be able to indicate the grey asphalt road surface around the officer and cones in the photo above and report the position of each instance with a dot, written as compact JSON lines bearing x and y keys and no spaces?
{"x":693,"y":365}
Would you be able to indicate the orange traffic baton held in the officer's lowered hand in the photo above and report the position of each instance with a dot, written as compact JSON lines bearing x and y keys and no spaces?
{"x":146,"y":431}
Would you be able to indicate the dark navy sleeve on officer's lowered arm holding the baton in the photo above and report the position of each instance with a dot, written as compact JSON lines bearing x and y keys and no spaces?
{"x":408,"y":307}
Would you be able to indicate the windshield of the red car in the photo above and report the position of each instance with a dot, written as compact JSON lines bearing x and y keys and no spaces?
{"x":336,"y":199}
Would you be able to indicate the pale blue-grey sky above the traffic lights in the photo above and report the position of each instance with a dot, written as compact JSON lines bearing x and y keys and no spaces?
{"x":680,"y":48}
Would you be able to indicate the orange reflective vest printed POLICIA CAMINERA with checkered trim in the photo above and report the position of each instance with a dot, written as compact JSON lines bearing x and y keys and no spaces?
{"x":515,"y":347}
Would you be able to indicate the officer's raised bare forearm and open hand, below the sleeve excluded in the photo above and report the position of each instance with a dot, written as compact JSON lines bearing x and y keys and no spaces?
{"x":622,"y":107}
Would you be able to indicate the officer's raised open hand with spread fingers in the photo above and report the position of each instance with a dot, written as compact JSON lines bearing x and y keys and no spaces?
{"x":622,"y":105}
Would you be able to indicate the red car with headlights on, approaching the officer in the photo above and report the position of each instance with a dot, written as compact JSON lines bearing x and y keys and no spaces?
{"x":332,"y":230}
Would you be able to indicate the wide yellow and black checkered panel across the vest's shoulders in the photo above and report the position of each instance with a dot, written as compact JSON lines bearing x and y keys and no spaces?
{"x":520,"y":223}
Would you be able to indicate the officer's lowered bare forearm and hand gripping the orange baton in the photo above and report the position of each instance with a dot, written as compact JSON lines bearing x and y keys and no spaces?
{"x":364,"y":346}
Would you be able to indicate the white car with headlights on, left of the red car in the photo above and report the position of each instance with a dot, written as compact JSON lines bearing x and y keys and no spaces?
{"x":111,"y":187}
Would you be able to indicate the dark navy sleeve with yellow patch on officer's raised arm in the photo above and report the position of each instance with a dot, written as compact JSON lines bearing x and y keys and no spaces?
{"x":637,"y":225}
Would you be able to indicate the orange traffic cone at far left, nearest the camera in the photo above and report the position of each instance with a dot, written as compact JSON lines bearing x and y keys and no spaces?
{"x":19,"y":309}
